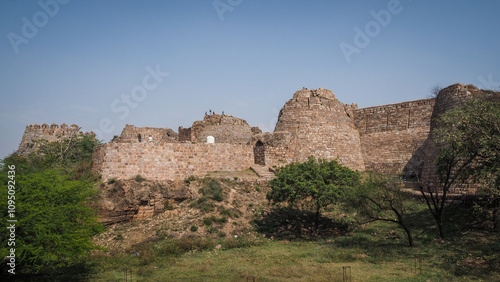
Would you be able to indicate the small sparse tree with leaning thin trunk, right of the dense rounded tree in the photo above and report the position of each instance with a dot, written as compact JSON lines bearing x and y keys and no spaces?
{"x":381,"y":198}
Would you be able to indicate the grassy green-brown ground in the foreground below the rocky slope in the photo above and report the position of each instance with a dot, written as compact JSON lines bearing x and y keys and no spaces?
{"x":376,"y":252}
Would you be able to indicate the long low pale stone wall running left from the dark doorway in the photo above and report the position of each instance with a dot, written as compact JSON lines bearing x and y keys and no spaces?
{"x":169,"y":161}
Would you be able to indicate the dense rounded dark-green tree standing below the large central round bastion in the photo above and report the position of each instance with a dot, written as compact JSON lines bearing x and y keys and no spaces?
{"x":312,"y":185}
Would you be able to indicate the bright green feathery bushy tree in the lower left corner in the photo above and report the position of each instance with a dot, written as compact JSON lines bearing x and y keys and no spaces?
{"x":54,"y":225}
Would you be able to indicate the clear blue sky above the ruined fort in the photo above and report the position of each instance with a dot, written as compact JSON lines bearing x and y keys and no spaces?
{"x":73,"y":62}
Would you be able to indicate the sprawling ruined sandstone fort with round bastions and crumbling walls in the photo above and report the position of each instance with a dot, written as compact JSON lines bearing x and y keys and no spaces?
{"x":394,"y":139}
